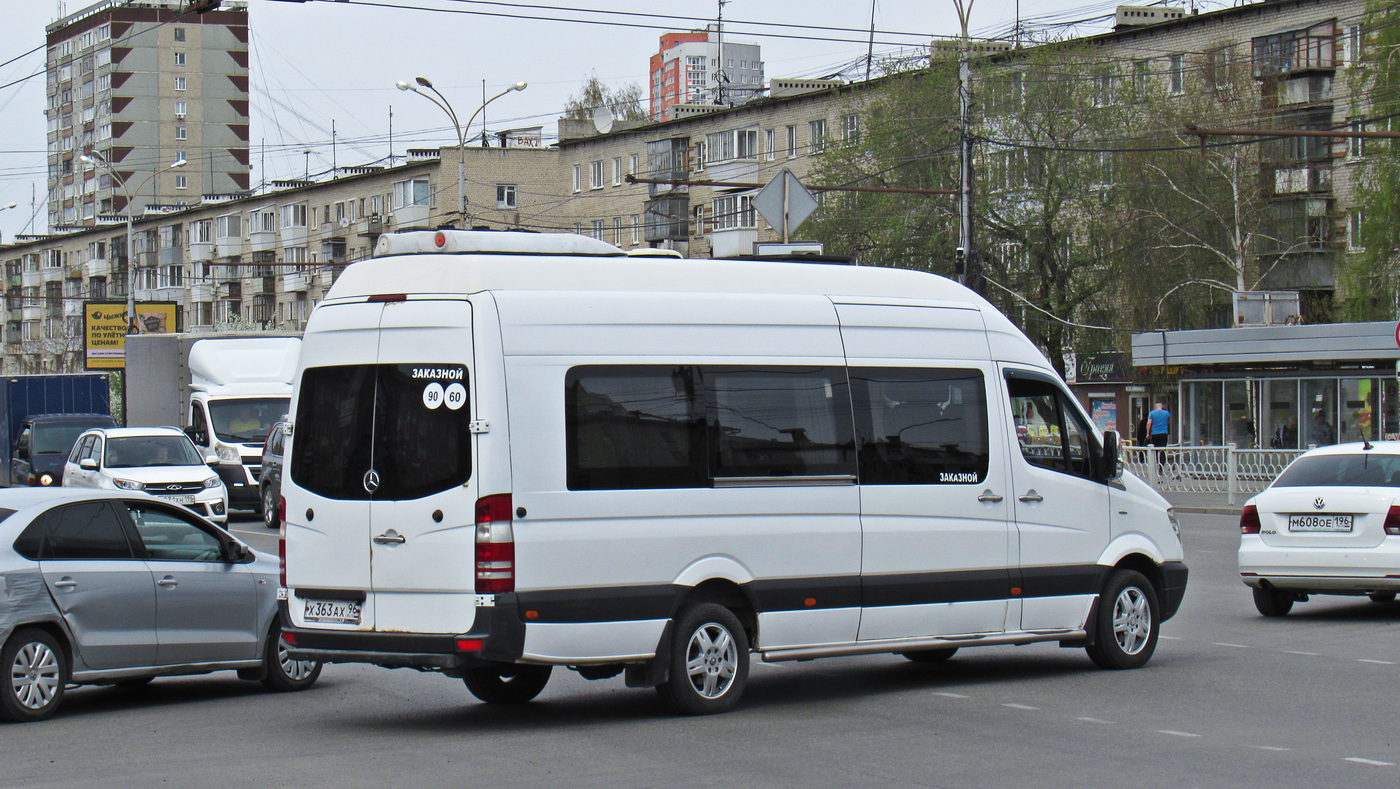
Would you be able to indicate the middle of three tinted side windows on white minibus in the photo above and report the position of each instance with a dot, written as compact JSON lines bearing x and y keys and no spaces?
{"x":779,"y":422}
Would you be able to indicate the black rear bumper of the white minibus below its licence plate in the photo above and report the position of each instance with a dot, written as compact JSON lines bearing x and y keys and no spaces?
{"x":496,"y":637}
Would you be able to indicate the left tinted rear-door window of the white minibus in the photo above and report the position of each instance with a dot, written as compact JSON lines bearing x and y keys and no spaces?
{"x":335,"y":418}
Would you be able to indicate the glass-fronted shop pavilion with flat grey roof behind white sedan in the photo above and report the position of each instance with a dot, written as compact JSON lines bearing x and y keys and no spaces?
{"x":1283,"y":387}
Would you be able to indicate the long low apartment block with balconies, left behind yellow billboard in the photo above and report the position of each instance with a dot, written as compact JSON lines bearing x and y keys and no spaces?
{"x":262,"y":261}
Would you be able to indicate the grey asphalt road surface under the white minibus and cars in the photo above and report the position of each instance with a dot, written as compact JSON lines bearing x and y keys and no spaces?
{"x":1230,"y":700}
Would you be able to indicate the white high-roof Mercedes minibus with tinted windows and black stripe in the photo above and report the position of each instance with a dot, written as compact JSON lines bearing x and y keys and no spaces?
{"x":513,"y":453}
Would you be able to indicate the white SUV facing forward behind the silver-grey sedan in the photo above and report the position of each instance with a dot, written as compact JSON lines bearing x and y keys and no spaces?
{"x":162,"y":462}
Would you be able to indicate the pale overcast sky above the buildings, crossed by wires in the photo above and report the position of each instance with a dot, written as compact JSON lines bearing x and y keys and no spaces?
{"x":323,"y":64}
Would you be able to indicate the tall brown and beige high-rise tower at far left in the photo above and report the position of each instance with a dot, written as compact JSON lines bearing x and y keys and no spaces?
{"x":143,"y":85}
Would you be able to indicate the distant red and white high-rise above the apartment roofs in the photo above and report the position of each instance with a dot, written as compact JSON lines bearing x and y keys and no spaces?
{"x":702,"y":68}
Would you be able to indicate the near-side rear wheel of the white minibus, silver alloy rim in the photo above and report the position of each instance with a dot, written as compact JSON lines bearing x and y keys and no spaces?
{"x":709,"y":661}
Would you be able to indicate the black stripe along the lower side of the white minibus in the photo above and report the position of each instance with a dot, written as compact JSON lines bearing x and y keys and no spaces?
{"x":659,"y":602}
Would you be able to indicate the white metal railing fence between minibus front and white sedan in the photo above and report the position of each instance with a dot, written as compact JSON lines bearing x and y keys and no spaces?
{"x":1207,"y":469}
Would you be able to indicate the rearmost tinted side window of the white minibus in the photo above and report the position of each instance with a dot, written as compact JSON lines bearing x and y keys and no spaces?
{"x":633,"y":427}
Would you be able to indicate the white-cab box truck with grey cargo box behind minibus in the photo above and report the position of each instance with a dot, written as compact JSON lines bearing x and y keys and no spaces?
{"x":226,"y":392}
